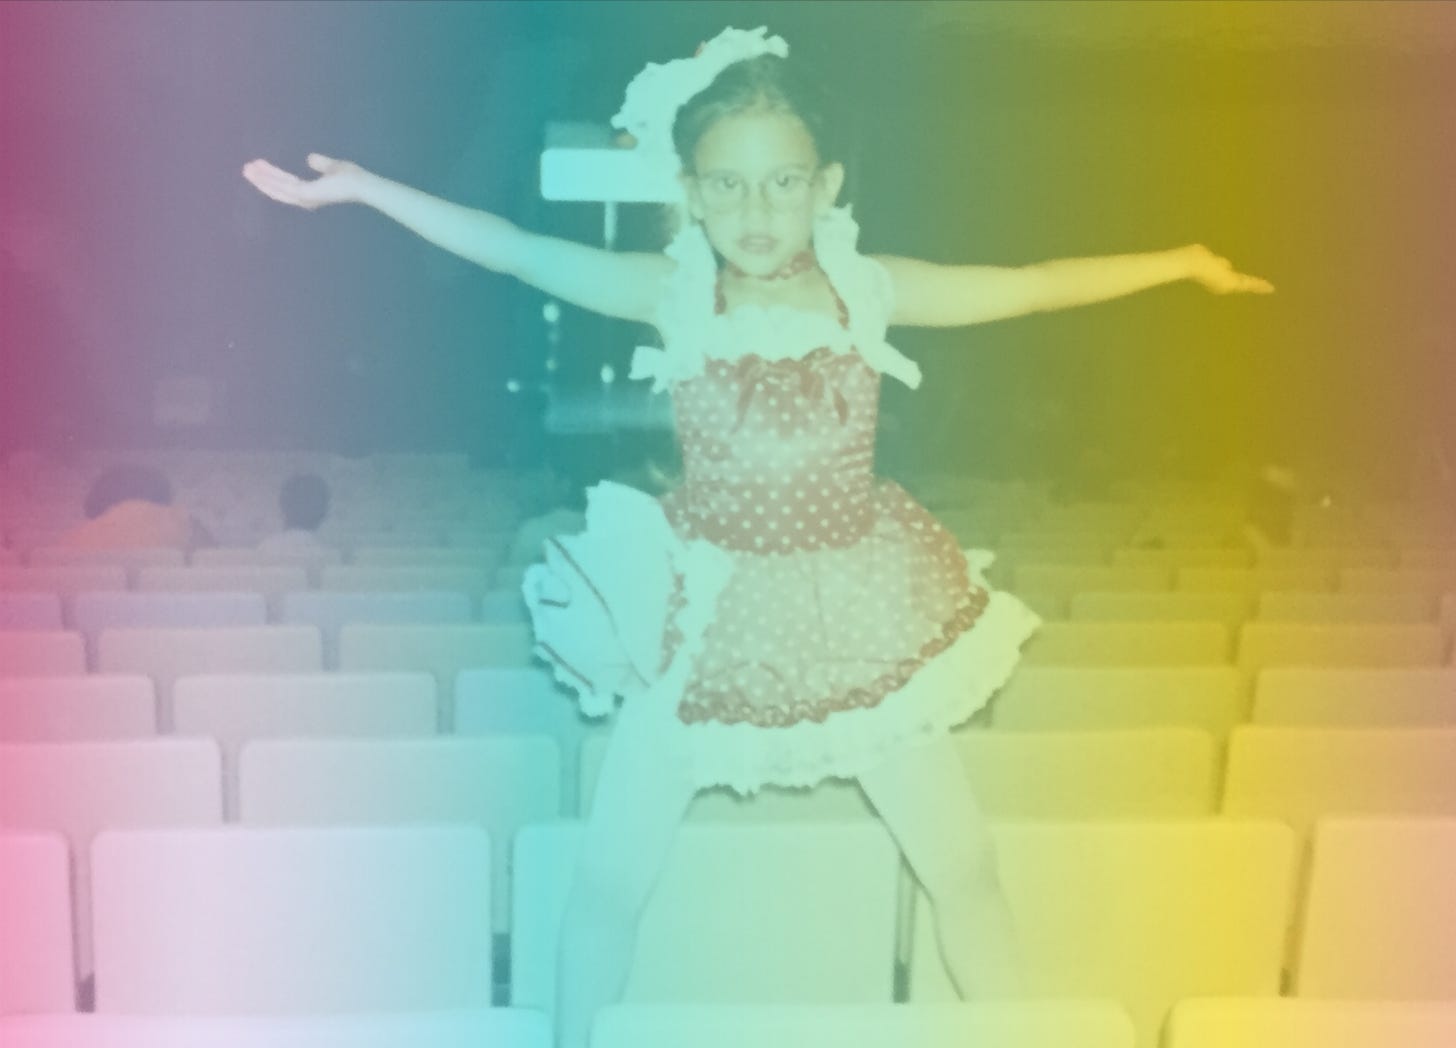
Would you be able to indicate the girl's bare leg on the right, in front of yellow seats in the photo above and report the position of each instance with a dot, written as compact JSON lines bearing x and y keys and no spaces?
{"x":925,"y":798}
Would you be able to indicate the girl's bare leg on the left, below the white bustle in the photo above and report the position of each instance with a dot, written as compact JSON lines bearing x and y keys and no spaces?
{"x":641,"y":797}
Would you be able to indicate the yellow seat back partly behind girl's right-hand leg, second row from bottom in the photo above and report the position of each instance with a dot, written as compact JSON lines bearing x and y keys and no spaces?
{"x":1144,"y":913}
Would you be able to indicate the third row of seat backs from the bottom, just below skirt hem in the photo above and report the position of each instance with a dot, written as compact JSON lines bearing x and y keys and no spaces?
{"x":507,"y":782}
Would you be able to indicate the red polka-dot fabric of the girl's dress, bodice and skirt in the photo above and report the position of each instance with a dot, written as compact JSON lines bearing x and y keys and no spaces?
{"x":845,"y":586}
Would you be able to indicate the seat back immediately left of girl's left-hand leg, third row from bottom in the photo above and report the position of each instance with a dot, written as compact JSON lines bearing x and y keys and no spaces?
{"x":496,"y":784}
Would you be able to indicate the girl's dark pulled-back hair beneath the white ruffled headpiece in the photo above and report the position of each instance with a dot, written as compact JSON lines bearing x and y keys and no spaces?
{"x":767,"y":82}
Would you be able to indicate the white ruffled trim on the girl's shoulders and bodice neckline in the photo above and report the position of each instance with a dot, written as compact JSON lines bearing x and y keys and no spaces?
{"x":692,"y":333}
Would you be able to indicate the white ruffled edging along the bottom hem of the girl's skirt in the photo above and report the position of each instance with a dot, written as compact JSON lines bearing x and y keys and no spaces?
{"x":944,"y":694}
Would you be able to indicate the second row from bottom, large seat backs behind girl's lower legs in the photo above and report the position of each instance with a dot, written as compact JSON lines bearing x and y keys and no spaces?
{"x":1147,"y":915}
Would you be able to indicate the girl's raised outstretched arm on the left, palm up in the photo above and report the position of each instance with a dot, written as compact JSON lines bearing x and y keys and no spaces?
{"x":615,"y":285}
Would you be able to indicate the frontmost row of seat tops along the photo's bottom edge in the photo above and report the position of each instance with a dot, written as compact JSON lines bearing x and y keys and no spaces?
{"x":1052,"y":1024}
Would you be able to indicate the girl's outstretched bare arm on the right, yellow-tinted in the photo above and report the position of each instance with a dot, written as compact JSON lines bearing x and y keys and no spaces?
{"x":940,"y":296}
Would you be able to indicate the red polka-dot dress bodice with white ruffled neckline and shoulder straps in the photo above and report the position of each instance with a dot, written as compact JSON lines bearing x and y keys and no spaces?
{"x":775,"y":408}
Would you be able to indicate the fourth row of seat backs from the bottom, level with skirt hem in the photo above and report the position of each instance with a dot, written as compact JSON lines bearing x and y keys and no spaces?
{"x":1214,"y":699}
